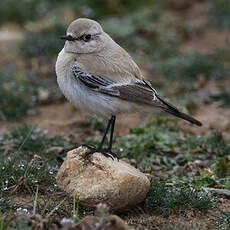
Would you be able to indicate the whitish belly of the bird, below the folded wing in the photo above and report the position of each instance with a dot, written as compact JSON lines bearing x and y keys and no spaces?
{"x":90,"y":100}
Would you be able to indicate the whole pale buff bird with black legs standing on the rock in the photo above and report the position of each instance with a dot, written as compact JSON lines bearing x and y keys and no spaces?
{"x":96,"y":74}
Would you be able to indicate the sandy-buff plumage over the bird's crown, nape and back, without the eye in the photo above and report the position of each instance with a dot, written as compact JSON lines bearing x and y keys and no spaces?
{"x":108,"y":60}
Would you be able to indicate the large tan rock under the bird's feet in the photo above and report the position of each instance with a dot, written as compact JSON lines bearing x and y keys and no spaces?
{"x":100,"y":179}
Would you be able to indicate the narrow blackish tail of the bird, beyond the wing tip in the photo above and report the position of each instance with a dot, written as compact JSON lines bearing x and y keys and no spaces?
{"x":174,"y":111}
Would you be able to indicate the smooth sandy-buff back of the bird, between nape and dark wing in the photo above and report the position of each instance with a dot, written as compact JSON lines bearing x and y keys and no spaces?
{"x":113,"y":62}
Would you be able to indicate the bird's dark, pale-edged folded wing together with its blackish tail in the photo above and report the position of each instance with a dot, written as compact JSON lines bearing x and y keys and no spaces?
{"x":138,"y":91}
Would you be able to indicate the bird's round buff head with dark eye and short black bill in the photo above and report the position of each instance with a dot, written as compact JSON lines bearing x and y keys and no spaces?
{"x":84,"y":36}
